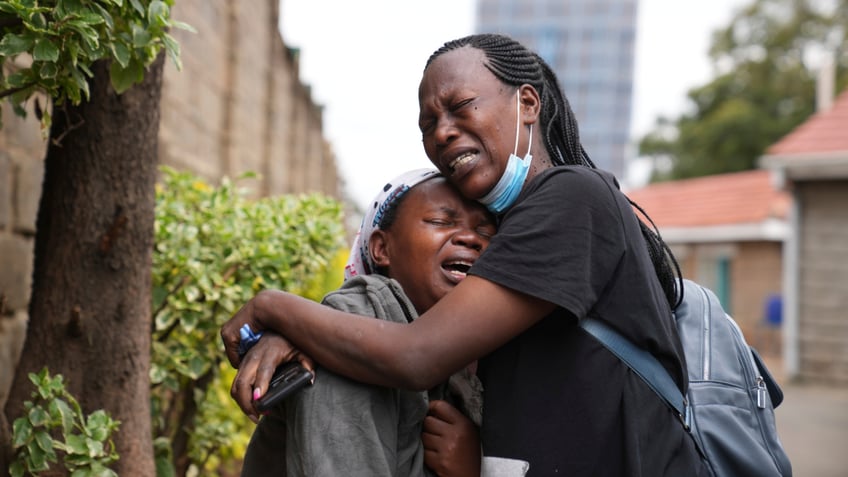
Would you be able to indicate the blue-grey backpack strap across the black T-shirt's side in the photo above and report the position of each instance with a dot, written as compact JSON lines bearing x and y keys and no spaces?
{"x":643,"y":364}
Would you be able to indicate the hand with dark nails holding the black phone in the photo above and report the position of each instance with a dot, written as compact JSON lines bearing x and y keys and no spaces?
{"x":257,"y":368}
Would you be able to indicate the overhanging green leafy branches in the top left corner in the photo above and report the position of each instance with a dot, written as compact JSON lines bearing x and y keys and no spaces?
{"x":62,"y":39}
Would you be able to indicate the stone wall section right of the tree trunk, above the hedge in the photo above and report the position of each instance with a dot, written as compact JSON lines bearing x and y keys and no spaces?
{"x":238,"y":104}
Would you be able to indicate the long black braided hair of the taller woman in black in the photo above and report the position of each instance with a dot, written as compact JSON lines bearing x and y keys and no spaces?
{"x":515,"y":65}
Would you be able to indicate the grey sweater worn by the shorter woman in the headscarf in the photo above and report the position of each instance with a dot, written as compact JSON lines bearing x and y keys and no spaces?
{"x":342,"y":427}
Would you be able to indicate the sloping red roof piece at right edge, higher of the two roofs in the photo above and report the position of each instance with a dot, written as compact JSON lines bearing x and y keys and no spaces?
{"x":824,"y":132}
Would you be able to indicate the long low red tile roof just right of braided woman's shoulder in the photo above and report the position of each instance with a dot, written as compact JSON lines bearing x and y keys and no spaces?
{"x":724,"y":199}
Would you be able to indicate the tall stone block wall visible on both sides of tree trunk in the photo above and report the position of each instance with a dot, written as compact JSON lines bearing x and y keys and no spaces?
{"x":237,"y":105}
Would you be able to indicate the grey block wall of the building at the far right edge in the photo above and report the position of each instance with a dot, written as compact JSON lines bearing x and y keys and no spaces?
{"x":823,"y":294}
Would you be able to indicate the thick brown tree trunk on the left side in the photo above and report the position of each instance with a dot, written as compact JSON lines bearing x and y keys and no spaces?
{"x":90,"y":305}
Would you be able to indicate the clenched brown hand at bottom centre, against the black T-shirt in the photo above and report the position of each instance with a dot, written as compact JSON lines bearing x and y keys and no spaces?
{"x":451,"y":442}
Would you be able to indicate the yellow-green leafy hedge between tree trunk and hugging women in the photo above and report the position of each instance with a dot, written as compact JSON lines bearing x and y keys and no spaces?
{"x":215,"y":249}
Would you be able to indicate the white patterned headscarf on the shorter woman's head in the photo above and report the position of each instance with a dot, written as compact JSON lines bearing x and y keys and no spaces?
{"x":360,"y":261}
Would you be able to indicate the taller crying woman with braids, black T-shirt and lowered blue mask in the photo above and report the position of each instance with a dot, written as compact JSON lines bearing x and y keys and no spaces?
{"x":569,"y":246}
